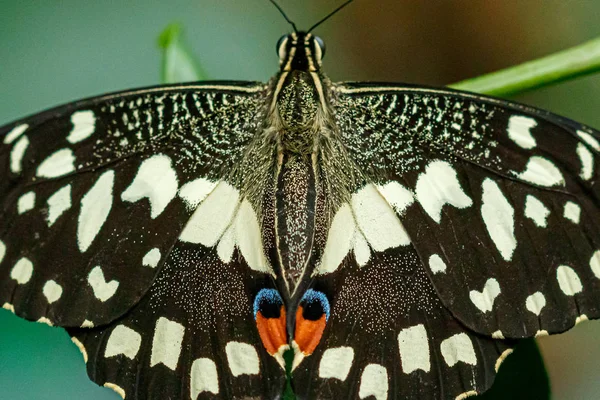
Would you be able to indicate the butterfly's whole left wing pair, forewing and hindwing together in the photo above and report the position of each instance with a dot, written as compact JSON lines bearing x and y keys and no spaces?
{"x":96,"y":195}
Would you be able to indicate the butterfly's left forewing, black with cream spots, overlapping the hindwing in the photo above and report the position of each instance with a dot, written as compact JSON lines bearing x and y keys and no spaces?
{"x":95,"y":194}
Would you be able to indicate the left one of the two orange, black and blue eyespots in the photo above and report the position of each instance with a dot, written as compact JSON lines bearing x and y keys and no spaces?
{"x":269,"y":314}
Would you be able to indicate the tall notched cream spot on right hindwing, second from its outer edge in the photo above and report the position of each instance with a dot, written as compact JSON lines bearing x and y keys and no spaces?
{"x":414,"y":349}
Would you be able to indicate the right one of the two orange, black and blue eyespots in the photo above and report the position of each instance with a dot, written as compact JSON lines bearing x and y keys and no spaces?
{"x":311,"y":317}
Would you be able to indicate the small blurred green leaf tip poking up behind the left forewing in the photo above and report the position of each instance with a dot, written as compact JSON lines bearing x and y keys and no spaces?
{"x":178,"y":64}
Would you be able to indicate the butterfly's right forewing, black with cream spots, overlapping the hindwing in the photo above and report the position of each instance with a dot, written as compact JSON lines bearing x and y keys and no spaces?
{"x":499,"y":200}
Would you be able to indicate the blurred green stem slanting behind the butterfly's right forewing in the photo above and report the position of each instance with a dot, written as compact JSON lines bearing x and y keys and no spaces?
{"x":568,"y":64}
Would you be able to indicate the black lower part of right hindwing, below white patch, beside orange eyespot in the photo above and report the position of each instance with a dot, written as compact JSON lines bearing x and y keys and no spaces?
{"x":389,"y":336}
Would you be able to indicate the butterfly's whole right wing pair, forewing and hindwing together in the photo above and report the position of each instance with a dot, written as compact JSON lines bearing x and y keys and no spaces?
{"x":478,"y":226}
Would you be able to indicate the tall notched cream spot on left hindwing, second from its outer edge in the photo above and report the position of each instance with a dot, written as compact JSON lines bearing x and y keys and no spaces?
{"x":166,"y":344}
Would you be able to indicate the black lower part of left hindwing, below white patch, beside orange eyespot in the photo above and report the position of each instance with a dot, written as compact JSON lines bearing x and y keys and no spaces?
{"x":192,"y":336}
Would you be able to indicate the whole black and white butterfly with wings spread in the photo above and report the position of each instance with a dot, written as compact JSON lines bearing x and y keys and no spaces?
{"x":399,"y":239}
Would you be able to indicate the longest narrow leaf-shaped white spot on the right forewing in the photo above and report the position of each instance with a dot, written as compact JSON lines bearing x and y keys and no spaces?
{"x":499,"y":218}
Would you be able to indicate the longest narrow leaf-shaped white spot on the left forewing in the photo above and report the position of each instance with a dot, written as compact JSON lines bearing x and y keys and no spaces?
{"x":95,"y":207}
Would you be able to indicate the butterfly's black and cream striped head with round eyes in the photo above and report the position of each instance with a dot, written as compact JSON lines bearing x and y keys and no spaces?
{"x":300,"y":51}
